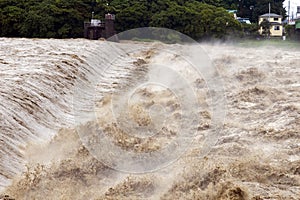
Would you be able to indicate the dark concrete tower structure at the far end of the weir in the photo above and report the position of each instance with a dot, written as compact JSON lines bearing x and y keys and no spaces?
{"x":96,"y":29}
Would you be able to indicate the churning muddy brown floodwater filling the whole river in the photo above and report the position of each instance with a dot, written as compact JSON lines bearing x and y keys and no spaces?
{"x":44,"y":156}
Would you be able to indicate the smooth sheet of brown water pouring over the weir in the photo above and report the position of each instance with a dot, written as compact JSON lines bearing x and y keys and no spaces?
{"x":38,"y":79}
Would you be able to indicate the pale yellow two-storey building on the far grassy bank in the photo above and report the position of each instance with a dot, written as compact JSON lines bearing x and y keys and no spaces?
{"x":276,"y":28}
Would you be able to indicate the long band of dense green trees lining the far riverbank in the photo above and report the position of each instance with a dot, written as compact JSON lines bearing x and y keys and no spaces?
{"x":64,"y":18}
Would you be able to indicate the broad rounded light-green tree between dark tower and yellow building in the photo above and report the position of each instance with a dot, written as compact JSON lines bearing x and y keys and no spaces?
{"x":197,"y":20}
